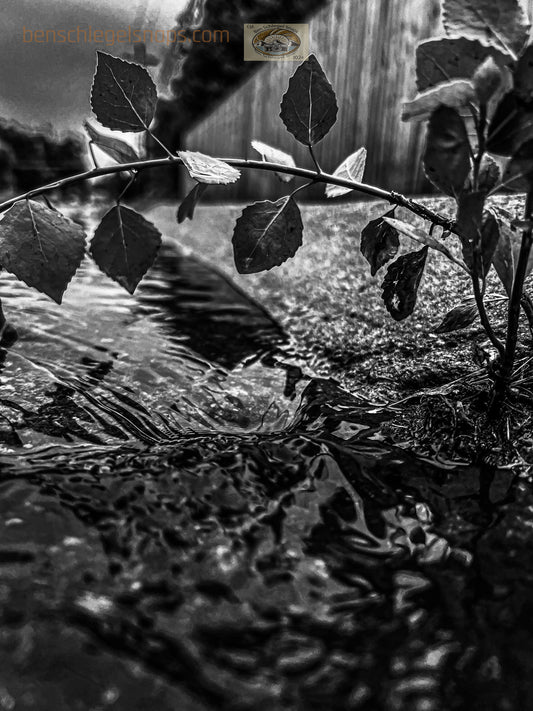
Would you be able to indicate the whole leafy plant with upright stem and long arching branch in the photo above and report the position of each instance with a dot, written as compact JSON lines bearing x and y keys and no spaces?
{"x":479,"y":78}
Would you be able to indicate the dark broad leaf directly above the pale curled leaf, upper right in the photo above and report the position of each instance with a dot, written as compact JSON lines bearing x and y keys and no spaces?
{"x":445,"y":58}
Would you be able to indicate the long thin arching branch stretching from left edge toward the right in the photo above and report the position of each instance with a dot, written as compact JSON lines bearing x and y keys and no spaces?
{"x":391,"y":197}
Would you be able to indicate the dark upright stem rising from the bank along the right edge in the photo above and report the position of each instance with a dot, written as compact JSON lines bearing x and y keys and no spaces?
{"x":506,"y":369}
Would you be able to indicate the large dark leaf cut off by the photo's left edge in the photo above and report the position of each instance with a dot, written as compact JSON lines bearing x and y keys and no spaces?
{"x":41,"y":247}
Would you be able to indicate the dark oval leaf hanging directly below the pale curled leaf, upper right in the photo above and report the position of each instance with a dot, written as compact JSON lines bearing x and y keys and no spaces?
{"x":447,"y":154}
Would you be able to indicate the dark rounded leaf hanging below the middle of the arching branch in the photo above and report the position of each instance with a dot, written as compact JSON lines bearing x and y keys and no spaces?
{"x":266,"y":235}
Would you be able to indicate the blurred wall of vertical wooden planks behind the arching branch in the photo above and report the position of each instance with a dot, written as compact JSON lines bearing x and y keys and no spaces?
{"x":367,"y":50}
